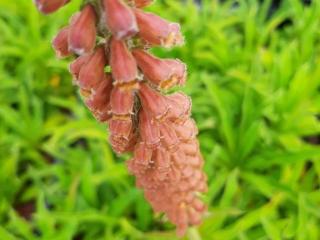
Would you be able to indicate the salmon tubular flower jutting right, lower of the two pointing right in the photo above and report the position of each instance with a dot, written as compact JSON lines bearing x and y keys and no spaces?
{"x":165,"y":73}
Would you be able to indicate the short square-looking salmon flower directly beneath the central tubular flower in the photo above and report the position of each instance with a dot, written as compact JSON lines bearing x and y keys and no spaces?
{"x":122,"y":102}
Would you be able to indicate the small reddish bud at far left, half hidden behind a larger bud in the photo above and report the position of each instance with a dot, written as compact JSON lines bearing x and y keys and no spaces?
{"x":60,"y":43}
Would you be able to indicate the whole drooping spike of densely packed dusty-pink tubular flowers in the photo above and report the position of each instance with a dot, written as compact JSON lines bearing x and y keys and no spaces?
{"x":131,"y":98}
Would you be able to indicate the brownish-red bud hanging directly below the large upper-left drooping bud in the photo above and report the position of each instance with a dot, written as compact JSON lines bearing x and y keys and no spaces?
{"x":92,"y":73}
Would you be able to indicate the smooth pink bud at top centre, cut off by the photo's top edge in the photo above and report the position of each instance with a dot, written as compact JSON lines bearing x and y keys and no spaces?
{"x":120,"y":19}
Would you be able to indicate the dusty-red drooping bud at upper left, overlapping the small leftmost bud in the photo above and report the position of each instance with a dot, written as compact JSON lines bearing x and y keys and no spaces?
{"x":82,"y":34}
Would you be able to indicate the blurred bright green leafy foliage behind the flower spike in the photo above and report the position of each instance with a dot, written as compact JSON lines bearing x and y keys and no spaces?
{"x":254,"y":77}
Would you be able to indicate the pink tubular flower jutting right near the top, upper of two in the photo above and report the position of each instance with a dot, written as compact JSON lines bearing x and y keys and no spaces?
{"x":157,"y":31}
